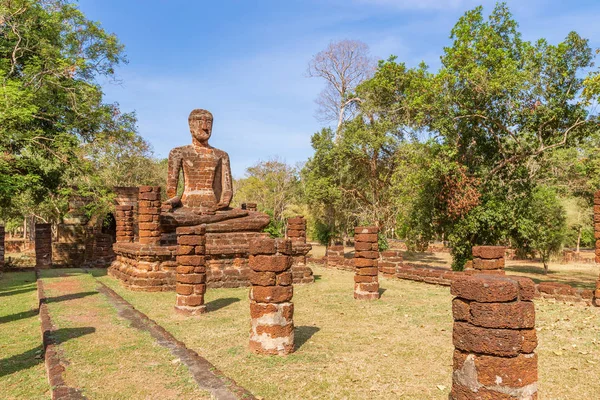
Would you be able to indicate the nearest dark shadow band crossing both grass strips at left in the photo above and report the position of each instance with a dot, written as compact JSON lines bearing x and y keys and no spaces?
{"x":32,"y":357}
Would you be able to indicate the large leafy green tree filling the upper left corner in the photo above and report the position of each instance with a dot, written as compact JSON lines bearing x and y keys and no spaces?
{"x":51,"y":105}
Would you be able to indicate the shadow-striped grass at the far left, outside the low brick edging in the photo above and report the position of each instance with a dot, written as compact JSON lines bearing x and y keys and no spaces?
{"x":22,"y":372}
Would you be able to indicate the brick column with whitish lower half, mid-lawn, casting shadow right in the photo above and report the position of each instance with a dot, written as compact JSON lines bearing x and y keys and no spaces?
{"x":271,"y":309}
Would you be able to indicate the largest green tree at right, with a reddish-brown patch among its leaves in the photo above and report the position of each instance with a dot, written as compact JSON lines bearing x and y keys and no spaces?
{"x":496,"y":108}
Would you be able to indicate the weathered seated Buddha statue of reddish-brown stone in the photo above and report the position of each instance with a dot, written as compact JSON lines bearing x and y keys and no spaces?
{"x":207,"y":184}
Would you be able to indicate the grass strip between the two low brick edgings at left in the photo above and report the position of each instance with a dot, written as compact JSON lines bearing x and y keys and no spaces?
{"x":109,"y":359}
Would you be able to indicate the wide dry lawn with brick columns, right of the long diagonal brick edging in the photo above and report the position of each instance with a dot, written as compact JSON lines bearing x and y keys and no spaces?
{"x":397,"y":347}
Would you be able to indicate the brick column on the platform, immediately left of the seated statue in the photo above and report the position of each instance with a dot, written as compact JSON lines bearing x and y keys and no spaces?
{"x":149,"y":213}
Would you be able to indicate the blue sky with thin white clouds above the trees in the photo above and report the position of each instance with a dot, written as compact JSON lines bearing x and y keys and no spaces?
{"x":245,"y":61}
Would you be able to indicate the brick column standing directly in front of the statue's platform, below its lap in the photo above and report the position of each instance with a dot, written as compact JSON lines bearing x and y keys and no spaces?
{"x":191,"y":270}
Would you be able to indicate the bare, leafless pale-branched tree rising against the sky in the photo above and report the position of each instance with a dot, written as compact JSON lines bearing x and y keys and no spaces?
{"x":343,"y":65}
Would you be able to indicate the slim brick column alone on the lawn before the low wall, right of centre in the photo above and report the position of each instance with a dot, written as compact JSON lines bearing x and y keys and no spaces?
{"x":366,"y":253}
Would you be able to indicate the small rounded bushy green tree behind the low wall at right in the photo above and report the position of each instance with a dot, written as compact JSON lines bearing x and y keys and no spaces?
{"x":544,"y":228}
